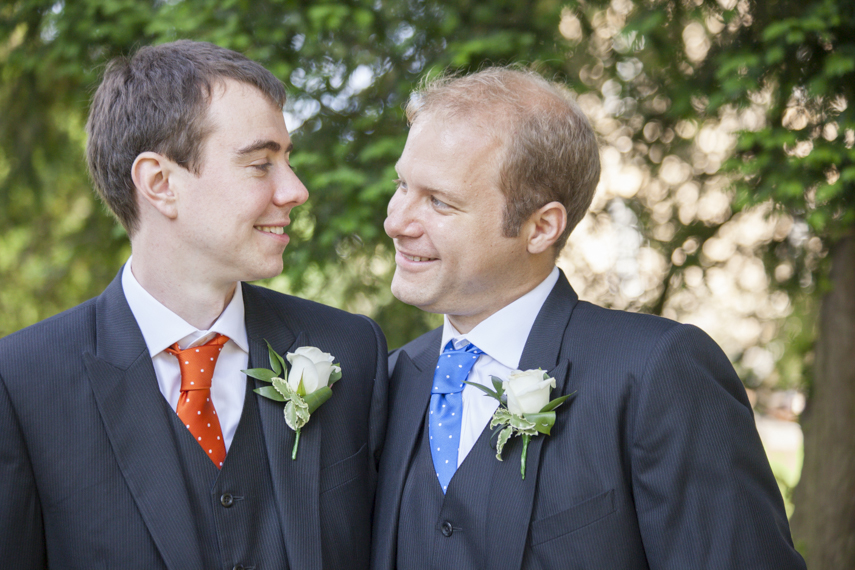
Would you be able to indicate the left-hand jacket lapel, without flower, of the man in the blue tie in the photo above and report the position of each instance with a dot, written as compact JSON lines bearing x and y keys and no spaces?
{"x":410,"y":385}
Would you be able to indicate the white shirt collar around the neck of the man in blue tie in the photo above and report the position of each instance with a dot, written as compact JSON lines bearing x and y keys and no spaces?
{"x":503,"y":334}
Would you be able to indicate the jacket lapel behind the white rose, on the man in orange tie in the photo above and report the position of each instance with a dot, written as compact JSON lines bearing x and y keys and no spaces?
{"x":295,"y":483}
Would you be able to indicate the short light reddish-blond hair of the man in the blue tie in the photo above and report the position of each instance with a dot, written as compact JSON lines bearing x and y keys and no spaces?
{"x":550,"y":150}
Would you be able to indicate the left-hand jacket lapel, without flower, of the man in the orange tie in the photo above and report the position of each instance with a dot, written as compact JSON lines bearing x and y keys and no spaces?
{"x":137,"y":420}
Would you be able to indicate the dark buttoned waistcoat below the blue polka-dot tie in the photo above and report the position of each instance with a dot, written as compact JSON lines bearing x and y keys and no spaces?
{"x":437,"y":531}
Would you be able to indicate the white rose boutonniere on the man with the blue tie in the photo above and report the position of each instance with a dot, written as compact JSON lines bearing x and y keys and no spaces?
{"x":524,"y":408}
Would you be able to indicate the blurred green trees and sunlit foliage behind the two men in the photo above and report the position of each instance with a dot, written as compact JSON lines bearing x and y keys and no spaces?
{"x":726,"y":197}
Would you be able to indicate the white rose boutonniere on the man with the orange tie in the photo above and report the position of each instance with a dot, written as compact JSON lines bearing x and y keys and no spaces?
{"x":307,"y":387}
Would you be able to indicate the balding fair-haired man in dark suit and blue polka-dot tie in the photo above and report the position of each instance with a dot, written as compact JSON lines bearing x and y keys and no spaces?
{"x":651,"y":461}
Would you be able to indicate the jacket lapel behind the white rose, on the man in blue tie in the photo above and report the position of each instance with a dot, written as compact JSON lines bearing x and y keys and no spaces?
{"x":511,"y":497}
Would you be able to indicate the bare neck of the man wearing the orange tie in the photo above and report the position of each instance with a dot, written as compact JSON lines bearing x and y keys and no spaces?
{"x":186,"y":293}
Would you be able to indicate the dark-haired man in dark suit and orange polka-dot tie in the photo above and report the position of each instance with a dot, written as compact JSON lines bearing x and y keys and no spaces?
{"x":131,"y":438}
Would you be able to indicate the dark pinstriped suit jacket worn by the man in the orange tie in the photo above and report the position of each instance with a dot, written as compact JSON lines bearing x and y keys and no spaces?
{"x":89,"y":476}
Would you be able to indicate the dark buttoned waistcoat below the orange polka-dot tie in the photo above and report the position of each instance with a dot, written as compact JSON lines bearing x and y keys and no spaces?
{"x":236,"y":516}
